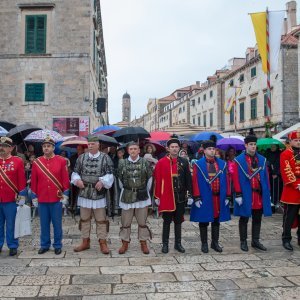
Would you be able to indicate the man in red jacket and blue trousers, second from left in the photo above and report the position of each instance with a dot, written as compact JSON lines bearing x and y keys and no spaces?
{"x":50,"y":188}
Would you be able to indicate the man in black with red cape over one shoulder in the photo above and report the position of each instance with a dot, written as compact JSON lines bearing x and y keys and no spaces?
{"x":172,"y":181}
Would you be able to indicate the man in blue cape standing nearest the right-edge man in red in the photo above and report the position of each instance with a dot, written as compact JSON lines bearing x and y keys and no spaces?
{"x":251,"y":184}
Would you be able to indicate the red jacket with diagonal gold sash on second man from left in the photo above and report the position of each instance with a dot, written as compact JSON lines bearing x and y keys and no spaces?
{"x":45,"y":190}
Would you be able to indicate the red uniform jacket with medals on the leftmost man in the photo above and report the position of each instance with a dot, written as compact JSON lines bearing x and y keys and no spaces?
{"x":14,"y":169}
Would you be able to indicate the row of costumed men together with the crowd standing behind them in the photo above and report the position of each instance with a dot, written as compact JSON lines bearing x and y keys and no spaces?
{"x":211,"y":182}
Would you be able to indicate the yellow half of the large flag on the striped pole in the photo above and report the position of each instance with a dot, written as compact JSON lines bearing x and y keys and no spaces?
{"x":259,"y":21}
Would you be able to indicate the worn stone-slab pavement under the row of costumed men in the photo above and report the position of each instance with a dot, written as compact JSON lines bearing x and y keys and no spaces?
{"x":91,"y":275}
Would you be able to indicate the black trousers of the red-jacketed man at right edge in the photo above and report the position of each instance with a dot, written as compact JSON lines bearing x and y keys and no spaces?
{"x":291,"y":211}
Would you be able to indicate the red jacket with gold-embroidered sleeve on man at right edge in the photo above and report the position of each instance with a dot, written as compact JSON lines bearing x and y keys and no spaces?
{"x":290,"y":172}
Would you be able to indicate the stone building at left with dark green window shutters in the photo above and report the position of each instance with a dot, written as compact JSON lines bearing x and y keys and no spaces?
{"x":52,"y":64}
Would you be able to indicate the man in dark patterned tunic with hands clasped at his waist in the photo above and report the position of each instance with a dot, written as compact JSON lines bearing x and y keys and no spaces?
{"x":93,"y":175}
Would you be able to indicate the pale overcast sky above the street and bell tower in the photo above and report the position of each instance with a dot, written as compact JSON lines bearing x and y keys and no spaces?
{"x":156,"y":46}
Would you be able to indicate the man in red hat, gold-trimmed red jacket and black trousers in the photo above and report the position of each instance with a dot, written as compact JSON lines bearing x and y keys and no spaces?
{"x":290,"y":172}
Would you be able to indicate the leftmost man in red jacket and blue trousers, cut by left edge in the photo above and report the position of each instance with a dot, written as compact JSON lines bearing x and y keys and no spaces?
{"x":12,"y":192}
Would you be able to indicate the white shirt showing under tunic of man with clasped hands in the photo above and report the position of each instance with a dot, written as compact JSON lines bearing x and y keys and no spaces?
{"x":107,"y":181}
